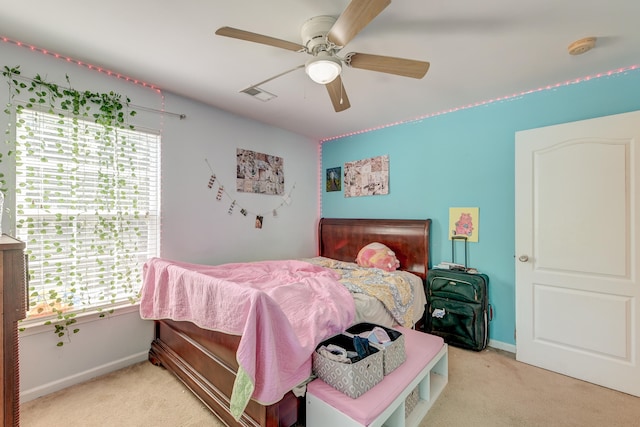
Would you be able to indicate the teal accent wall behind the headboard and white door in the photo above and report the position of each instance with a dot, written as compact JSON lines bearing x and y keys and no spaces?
{"x":466,"y":159}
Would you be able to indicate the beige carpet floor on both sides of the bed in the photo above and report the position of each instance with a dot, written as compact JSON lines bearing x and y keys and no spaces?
{"x":488,"y":388}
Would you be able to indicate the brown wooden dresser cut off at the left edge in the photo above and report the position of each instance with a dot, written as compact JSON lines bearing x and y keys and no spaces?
{"x":13,"y":296}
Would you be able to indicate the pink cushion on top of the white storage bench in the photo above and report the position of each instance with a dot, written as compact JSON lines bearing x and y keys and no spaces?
{"x":420,"y":349}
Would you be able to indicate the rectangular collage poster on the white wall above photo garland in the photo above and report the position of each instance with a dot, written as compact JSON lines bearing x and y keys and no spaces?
{"x":259,"y":173}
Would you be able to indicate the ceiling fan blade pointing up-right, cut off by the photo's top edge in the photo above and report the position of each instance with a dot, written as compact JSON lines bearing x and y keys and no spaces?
{"x":354,"y":18}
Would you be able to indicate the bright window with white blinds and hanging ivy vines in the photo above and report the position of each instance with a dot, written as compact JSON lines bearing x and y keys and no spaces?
{"x":87,"y":206}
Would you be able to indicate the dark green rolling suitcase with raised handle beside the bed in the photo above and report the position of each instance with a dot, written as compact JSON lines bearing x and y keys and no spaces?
{"x":458,"y":305}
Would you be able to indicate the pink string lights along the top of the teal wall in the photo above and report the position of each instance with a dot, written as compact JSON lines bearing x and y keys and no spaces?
{"x":486,"y":102}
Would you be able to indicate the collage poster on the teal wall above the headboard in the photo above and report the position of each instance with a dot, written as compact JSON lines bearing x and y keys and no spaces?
{"x":368,"y":177}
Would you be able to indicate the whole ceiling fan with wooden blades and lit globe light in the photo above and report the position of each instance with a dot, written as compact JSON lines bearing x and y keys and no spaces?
{"x":323,"y":37}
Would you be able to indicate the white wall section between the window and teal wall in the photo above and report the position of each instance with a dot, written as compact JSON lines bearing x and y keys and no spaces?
{"x":197,"y":227}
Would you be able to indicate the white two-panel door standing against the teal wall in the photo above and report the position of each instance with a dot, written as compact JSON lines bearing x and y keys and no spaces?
{"x":578,"y":249}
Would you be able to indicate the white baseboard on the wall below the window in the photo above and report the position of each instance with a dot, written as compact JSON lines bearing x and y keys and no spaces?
{"x":34,"y":393}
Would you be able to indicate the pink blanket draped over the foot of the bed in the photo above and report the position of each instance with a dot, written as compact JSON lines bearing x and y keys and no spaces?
{"x":282,"y":310}
